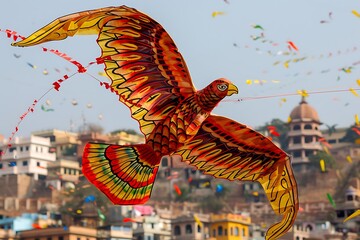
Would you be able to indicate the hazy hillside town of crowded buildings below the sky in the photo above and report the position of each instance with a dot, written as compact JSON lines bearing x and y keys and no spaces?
{"x":44,"y":195}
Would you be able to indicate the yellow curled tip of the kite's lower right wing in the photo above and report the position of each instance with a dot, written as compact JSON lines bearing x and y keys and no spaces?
{"x":281,"y":190}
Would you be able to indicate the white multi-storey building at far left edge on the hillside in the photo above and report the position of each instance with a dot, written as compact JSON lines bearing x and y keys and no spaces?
{"x":30,"y":155}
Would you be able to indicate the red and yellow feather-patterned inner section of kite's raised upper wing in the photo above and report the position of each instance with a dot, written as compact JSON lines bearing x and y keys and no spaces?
{"x":147,"y":71}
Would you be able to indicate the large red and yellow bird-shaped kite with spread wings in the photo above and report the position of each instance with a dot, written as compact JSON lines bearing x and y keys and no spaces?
{"x":150,"y":76}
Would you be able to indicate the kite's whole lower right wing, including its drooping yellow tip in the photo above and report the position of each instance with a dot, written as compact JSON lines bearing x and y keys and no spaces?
{"x":226,"y":149}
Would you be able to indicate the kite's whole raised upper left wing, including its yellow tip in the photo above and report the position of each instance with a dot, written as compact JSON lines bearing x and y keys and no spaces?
{"x":147,"y":71}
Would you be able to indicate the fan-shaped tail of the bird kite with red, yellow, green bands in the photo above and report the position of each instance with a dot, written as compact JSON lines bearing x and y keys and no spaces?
{"x":126,"y":174}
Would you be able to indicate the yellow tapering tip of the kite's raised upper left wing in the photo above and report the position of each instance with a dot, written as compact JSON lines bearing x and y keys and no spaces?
{"x":86,"y":23}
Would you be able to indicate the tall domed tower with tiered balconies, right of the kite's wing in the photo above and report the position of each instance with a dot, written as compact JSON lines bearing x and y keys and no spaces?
{"x":304,"y":134}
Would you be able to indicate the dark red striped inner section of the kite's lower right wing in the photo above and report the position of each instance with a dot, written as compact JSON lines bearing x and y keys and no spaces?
{"x":229,"y":150}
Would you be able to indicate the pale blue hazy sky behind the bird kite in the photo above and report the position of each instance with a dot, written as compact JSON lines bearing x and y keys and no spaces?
{"x":206,"y":43}
